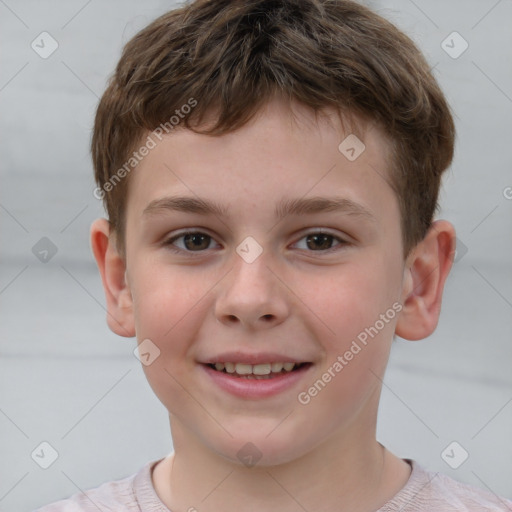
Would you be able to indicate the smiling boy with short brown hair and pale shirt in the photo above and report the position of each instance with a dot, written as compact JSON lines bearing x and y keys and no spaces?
{"x":305,"y":142}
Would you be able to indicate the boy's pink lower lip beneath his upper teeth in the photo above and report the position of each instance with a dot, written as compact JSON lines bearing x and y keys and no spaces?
{"x":256,"y":388}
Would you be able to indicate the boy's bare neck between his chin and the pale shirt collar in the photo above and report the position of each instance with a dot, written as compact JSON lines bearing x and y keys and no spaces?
{"x":349,"y":471}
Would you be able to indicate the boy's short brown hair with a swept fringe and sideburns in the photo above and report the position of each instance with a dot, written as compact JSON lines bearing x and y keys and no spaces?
{"x":231,"y":57}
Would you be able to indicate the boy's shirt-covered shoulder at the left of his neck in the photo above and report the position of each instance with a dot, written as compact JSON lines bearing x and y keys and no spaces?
{"x":118,"y":495}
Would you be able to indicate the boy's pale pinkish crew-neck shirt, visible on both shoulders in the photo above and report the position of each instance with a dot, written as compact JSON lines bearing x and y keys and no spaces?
{"x":424,"y":492}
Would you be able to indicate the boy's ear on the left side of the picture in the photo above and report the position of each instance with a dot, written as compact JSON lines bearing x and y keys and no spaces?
{"x":112,"y":268}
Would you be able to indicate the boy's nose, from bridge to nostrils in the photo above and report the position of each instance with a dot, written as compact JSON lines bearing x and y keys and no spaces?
{"x":252,"y":295}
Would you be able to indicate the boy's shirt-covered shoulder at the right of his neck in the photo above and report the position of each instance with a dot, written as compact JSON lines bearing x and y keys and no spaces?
{"x":426,"y":491}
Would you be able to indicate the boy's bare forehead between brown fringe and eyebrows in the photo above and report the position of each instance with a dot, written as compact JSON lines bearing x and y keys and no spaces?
{"x":284,"y":152}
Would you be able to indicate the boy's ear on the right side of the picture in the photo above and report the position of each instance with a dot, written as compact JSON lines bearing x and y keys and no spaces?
{"x":426,"y":270}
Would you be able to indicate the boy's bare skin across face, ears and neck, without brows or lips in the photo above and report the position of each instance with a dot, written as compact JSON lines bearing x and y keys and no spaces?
{"x":295,"y":298}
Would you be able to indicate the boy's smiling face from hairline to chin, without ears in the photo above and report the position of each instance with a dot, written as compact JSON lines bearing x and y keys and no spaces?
{"x":304,"y":298}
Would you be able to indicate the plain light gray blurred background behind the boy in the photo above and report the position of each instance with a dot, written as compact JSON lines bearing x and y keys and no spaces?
{"x":66,"y":379}
